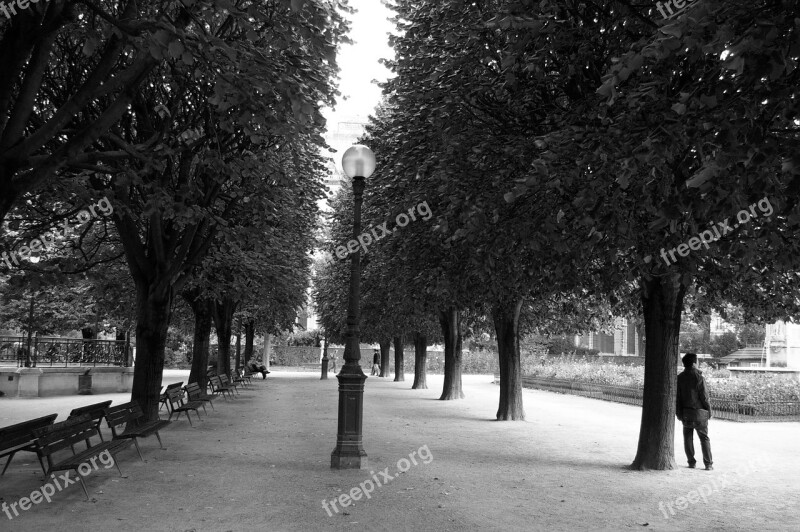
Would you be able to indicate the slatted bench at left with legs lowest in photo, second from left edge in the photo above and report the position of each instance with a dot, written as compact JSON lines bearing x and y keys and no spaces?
{"x":59,"y":436}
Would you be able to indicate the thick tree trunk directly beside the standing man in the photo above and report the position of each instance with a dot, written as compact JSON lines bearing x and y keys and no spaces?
{"x":662,"y":302}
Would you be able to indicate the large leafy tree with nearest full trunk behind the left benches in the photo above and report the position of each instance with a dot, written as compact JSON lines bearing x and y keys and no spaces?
{"x":170,"y":207}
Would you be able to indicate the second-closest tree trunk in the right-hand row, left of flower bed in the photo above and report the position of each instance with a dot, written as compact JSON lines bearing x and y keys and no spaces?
{"x":506,"y":324}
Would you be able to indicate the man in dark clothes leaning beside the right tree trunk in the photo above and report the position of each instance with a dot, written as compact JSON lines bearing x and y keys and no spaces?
{"x":693,"y":409}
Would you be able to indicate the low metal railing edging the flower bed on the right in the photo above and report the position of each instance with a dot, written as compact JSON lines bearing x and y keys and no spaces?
{"x":730,"y":407}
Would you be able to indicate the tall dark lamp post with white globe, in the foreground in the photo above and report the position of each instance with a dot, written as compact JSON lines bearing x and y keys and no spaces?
{"x":358,"y":163}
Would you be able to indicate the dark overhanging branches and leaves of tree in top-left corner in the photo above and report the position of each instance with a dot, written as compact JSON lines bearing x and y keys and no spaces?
{"x":71,"y":70}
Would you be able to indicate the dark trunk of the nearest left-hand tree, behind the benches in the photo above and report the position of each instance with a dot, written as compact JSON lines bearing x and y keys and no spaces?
{"x":153,"y":313}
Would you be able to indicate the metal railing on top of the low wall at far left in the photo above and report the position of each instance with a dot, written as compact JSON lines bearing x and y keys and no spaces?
{"x":64,"y":352}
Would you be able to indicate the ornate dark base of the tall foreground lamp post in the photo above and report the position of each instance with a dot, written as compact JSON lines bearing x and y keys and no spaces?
{"x":349,"y":452}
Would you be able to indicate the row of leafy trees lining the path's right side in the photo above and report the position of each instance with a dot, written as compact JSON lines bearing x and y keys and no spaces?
{"x":564,"y":147}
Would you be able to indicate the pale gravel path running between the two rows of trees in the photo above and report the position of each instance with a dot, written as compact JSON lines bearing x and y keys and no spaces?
{"x":261,"y":462}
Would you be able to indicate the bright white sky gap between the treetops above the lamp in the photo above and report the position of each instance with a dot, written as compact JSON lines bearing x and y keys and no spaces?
{"x":359,"y":62}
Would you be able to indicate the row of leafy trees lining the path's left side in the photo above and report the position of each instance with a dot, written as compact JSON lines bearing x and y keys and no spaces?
{"x":200,"y":123}
